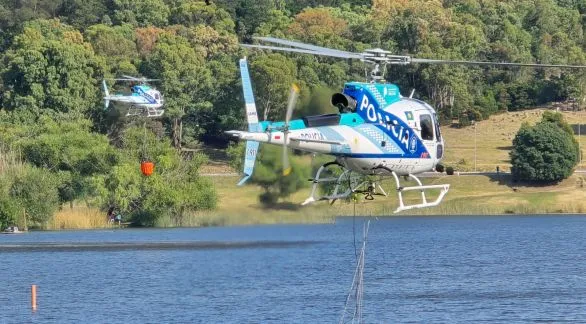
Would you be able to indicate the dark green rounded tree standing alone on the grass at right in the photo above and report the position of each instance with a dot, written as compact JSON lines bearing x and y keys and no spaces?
{"x":546,"y":152}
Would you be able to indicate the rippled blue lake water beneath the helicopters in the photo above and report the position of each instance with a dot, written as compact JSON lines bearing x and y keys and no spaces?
{"x":503,"y":269}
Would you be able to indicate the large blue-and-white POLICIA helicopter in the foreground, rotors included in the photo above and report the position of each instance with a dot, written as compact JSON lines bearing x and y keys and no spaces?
{"x":377,"y":133}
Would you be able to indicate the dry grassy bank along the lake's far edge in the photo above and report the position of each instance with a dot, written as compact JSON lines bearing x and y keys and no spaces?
{"x":468,"y":195}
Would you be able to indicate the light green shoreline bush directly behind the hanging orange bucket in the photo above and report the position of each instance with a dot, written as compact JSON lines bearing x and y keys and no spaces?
{"x":173,"y":190}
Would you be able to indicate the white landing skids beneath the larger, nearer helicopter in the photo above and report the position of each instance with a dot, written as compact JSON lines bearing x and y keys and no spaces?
{"x":349,"y":182}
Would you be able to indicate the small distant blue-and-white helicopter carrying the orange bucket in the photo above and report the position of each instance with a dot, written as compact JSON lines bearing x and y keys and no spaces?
{"x":142,"y":101}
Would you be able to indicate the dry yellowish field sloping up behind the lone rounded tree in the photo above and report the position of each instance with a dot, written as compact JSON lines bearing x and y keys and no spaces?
{"x":494,"y":138}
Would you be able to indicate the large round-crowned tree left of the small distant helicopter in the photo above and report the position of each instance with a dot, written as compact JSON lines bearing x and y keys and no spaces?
{"x":50,"y":69}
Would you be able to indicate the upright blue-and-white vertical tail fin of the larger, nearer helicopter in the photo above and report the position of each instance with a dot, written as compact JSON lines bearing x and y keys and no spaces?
{"x":252,"y":118}
